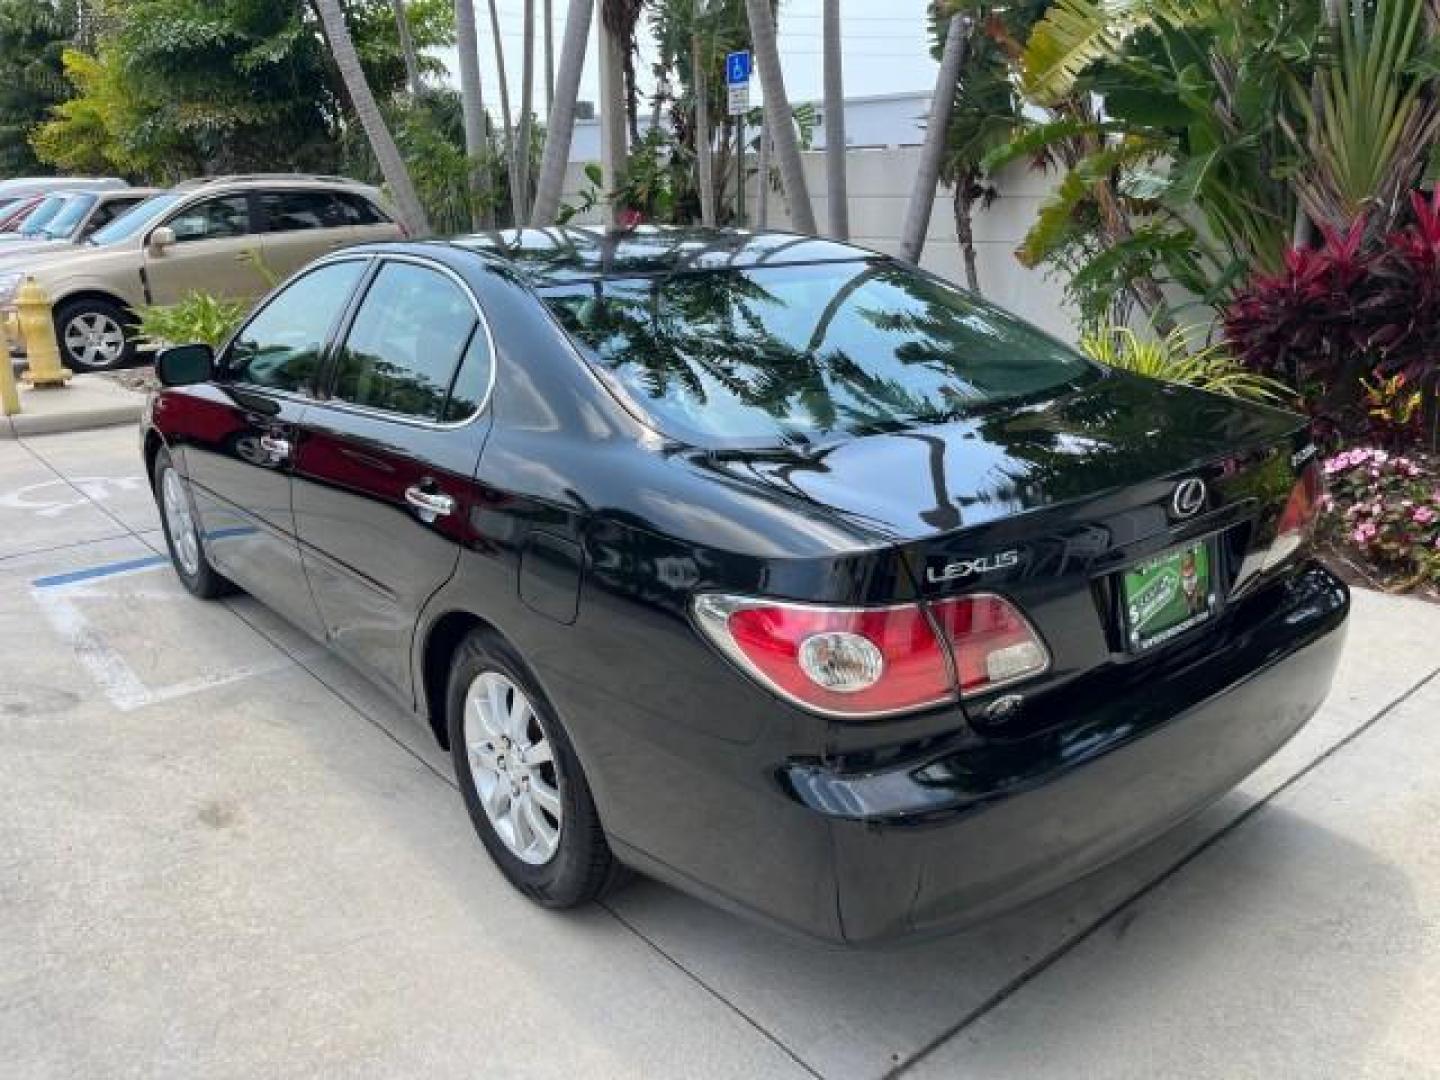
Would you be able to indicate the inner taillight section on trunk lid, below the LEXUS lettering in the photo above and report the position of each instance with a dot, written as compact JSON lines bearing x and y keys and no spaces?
{"x":991,"y":640}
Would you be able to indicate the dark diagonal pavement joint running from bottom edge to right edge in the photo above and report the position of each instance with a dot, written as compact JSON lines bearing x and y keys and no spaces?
{"x":1099,"y":924}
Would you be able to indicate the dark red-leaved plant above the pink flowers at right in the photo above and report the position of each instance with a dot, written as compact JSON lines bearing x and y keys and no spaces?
{"x":1347,"y":316}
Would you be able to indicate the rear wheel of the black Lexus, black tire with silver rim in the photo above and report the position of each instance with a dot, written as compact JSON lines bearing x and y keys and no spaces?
{"x":522,"y":781}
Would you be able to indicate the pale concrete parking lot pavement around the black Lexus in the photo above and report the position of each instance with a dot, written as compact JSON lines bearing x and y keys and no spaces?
{"x":222,"y":853}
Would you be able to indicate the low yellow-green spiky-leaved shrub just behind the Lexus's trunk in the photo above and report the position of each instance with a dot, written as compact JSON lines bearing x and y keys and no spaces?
{"x":1170,"y":358}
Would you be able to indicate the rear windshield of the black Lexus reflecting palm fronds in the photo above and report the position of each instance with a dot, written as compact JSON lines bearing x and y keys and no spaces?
{"x":788,"y":355}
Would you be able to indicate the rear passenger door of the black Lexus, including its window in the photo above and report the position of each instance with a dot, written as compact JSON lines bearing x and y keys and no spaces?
{"x":385,"y":469}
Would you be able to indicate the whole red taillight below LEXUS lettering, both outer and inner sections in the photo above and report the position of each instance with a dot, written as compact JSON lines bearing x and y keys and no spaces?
{"x":873,"y":662}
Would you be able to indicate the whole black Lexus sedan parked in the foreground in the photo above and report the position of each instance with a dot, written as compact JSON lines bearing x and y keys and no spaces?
{"x":764,"y":565}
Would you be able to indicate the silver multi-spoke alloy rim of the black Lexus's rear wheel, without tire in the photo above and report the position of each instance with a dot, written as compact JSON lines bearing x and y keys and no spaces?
{"x":512,"y":764}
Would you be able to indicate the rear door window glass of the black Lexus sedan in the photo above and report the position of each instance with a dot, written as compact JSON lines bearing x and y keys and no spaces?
{"x":407,"y":343}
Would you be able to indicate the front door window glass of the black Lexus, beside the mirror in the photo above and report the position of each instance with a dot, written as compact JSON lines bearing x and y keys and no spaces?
{"x":280,"y":349}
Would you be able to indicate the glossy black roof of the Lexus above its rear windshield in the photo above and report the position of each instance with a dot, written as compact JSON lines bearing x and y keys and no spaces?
{"x":564,"y":256}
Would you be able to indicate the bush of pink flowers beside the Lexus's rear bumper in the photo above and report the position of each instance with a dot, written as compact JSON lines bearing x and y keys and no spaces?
{"x":1387,"y":508}
